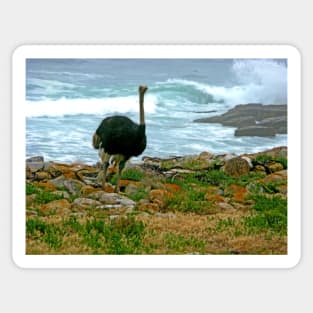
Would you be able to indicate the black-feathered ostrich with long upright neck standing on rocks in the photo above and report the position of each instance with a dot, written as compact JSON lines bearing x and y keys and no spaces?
{"x":119,"y":137}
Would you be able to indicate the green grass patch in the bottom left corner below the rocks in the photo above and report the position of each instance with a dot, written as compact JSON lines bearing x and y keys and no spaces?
{"x":119,"y":236}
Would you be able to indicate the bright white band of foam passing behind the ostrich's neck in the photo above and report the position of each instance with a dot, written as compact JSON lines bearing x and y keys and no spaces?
{"x":97,"y":106}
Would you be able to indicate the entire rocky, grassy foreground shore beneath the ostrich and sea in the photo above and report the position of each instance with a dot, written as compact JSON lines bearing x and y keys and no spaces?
{"x":196,"y":204}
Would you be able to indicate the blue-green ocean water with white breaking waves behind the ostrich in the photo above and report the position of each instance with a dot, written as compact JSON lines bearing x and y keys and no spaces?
{"x":66,"y":100}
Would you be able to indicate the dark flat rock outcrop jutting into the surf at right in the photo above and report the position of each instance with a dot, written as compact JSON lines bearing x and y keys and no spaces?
{"x":253,"y":119}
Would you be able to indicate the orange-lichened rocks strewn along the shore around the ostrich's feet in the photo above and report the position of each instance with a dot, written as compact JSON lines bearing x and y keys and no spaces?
{"x":82,"y":182}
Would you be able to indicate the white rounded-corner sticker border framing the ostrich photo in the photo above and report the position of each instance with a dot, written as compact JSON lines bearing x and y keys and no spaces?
{"x":156,"y":51}
